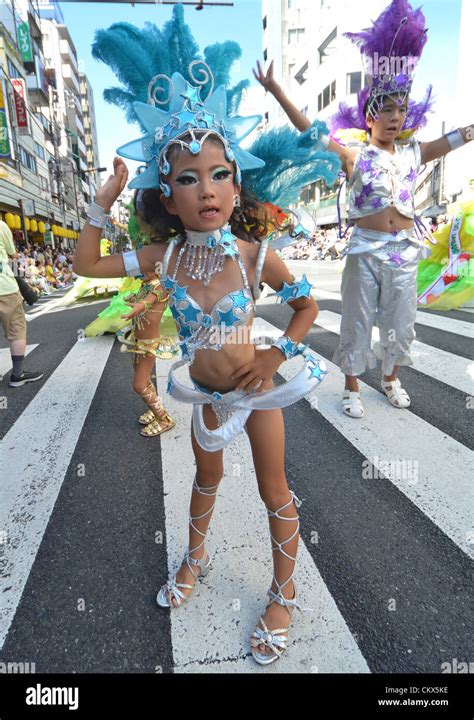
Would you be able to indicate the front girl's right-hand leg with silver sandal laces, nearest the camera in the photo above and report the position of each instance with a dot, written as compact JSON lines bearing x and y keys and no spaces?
{"x":267,"y":438}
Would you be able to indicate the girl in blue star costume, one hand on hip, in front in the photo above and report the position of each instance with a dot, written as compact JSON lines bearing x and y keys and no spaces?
{"x":194,"y":195}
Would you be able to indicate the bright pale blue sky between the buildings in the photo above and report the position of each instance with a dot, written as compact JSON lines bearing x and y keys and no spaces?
{"x":243,"y":23}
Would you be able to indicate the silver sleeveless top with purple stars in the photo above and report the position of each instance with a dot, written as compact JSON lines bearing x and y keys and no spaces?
{"x":381,"y":180}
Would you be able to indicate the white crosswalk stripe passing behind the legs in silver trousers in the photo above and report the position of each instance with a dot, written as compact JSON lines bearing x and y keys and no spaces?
{"x":446,"y":367}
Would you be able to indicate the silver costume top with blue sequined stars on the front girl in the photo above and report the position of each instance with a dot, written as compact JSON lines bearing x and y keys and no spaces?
{"x":197,"y":329}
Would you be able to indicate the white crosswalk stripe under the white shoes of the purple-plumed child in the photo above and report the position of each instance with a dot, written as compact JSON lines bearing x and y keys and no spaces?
{"x":428,"y":466}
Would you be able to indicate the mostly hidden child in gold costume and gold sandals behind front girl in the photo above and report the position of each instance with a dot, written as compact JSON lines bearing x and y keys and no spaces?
{"x":147,"y":307}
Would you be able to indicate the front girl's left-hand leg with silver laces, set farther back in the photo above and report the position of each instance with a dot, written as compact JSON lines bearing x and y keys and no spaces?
{"x":209,"y":472}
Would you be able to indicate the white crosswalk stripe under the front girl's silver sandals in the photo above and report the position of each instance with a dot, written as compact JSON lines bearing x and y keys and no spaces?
{"x":234,"y":593}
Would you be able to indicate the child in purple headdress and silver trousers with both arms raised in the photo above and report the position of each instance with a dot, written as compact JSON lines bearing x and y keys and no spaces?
{"x":380,"y":272}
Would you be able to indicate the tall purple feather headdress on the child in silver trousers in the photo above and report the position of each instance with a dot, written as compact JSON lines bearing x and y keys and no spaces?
{"x":391,"y":49}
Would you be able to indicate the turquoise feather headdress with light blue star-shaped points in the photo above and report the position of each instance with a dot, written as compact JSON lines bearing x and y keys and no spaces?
{"x":274,"y":168}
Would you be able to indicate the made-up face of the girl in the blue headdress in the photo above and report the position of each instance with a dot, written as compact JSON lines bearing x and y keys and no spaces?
{"x":202,"y":187}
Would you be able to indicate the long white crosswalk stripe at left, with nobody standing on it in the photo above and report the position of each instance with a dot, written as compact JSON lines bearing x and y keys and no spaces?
{"x":35,"y":462}
